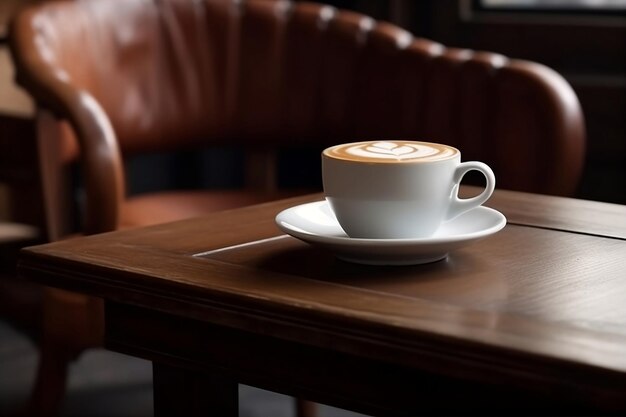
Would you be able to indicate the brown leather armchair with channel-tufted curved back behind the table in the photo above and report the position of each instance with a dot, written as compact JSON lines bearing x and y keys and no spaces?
{"x":116,"y":78}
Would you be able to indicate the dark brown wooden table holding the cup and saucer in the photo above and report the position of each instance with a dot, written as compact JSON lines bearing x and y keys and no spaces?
{"x":531,"y":319}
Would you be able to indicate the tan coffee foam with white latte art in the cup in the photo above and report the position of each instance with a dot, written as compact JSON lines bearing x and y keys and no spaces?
{"x":391,"y":151}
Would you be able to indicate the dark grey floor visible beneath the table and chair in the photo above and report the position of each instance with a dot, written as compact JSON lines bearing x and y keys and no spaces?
{"x":104,"y":383}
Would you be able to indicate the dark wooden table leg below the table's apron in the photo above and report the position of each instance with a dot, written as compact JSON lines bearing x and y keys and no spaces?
{"x":181,"y":392}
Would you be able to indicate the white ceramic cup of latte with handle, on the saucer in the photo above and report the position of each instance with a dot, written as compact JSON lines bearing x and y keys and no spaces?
{"x":397,"y":189}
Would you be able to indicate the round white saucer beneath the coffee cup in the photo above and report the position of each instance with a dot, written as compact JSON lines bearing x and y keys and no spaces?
{"x":316,"y":224}
